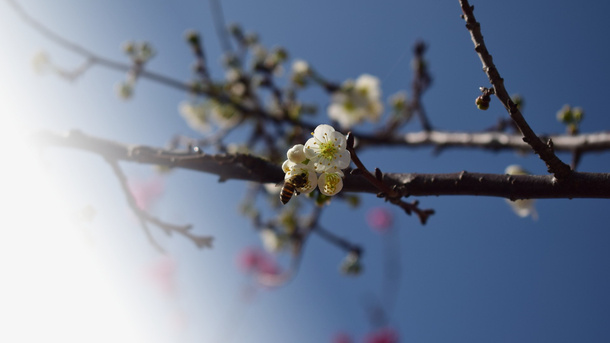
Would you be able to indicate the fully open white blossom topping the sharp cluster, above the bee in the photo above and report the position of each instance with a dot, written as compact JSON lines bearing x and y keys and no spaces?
{"x":327,"y":150}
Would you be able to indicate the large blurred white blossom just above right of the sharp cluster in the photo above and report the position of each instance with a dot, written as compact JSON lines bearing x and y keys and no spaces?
{"x":356,"y":101}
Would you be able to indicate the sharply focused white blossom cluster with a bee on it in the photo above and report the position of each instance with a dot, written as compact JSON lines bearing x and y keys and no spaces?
{"x":319,"y":162}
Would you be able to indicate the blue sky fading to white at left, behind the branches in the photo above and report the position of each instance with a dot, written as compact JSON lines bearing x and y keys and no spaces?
{"x":475,"y":272}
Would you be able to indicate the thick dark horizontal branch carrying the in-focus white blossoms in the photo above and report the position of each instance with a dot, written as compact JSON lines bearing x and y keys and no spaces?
{"x":252,"y":168}
